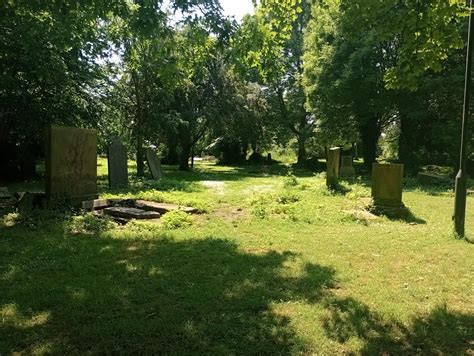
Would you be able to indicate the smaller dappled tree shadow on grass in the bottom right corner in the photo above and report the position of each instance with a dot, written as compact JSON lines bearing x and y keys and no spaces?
{"x":441,"y":332}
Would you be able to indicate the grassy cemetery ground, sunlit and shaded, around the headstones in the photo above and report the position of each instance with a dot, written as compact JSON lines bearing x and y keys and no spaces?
{"x":274,"y":264}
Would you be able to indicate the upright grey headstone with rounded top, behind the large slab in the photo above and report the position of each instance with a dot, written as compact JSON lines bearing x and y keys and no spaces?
{"x":117,"y":164}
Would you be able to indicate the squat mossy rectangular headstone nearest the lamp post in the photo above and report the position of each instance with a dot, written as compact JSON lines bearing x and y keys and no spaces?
{"x":387,"y":184}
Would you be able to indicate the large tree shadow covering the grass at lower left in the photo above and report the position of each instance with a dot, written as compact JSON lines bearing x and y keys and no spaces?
{"x":92,"y":294}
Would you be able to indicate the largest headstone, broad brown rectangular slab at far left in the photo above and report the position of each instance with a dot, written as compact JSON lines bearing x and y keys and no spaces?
{"x":71,"y":163}
